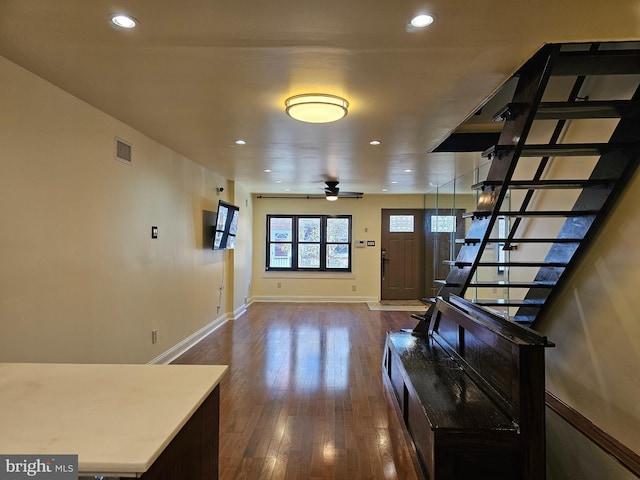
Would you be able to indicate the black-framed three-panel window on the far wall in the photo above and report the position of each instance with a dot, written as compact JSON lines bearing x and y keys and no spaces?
{"x":315,"y":243}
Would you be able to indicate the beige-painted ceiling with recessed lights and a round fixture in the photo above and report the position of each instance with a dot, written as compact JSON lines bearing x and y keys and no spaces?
{"x":198,"y":74}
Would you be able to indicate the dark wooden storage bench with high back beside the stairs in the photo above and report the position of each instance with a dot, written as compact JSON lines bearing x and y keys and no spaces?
{"x":471,"y":394}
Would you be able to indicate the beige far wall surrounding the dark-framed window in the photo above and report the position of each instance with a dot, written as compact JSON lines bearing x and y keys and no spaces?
{"x":365,"y":277}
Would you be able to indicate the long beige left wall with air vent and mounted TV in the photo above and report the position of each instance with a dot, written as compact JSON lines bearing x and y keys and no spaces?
{"x":81,"y":279}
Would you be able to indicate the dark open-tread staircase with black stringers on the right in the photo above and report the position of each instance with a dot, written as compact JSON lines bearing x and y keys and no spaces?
{"x":534,"y":147}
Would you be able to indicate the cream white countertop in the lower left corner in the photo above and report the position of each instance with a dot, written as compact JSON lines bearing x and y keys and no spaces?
{"x":117,"y":418}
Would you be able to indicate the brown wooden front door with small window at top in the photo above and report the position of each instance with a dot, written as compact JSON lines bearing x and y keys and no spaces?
{"x":401,"y":260}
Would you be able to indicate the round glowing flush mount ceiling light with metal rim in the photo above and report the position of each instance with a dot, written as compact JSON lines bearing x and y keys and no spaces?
{"x":316,"y":107}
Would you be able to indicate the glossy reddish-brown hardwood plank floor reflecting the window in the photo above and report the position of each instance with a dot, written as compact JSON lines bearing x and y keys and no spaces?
{"x":304,"y":397}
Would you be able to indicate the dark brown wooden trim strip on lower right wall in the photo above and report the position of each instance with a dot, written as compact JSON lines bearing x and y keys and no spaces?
{"x":624,"y":455}
